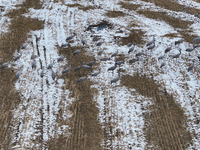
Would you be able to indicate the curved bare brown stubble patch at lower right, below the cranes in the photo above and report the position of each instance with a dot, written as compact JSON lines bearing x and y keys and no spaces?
{"x":166,"y":125}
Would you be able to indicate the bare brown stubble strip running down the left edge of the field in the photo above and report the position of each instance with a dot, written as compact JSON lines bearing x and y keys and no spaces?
{"x":9,"y":43}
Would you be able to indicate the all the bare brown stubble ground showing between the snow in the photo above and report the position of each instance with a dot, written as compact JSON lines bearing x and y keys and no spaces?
{"x":165,"y":124}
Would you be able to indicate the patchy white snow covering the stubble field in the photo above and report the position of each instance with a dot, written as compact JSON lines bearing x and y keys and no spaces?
{"x":61,"y":21}
